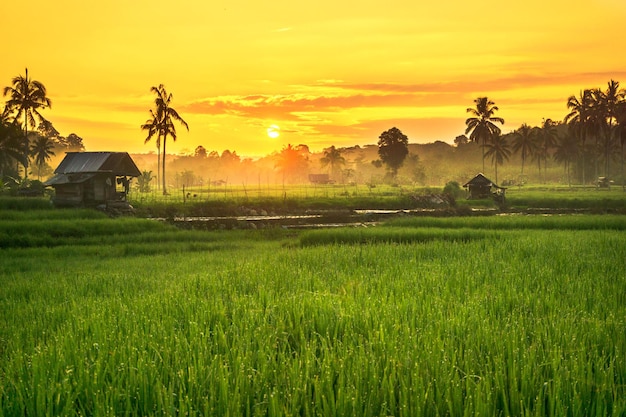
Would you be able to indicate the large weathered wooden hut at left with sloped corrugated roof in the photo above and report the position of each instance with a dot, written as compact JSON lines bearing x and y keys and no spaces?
{"x":91,"y":179}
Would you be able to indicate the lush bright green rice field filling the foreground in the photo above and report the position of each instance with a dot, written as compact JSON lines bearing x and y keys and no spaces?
{"x":495,"y":316}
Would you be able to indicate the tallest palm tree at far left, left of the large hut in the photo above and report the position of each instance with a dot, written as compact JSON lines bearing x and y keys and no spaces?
{"x":27,"y":97}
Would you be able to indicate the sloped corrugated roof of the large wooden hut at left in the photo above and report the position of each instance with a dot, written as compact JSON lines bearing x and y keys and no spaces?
{"x":116,"y":163}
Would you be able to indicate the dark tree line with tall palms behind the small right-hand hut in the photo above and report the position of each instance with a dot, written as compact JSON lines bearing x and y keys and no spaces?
{"x":591,"y":135}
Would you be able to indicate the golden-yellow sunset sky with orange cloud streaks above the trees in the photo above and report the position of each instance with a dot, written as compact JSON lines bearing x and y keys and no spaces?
{"x":318,"y":73}
